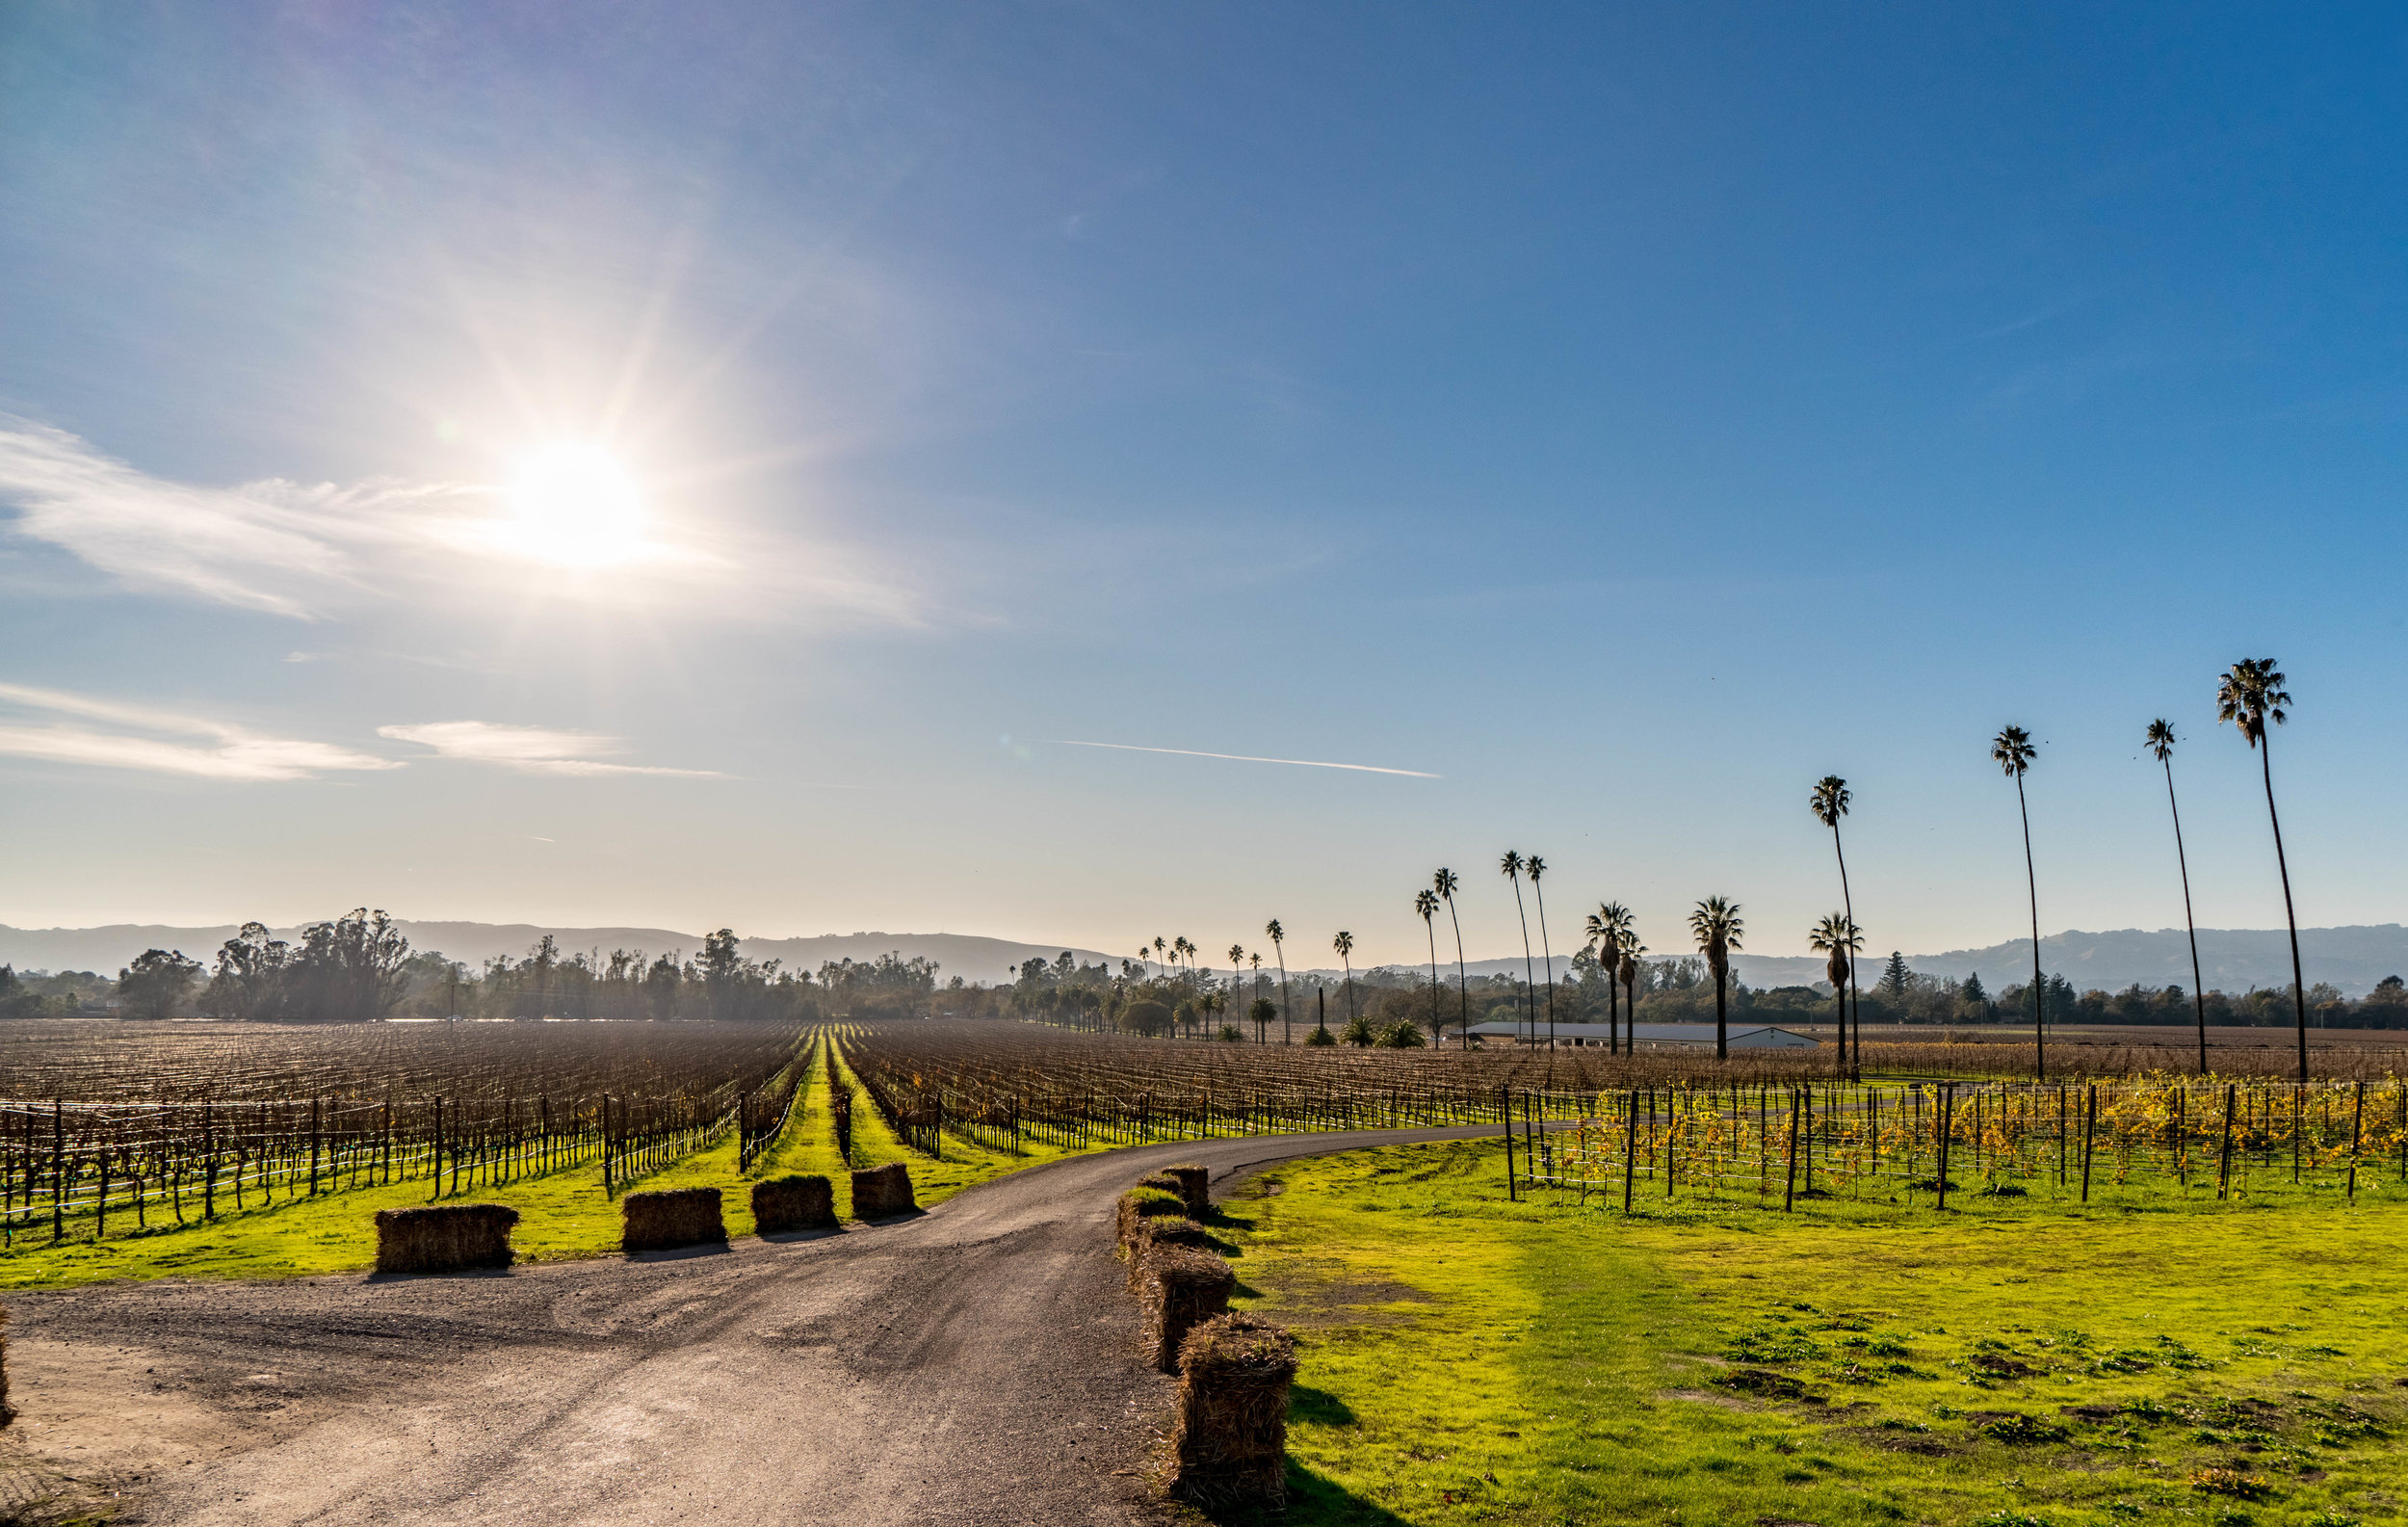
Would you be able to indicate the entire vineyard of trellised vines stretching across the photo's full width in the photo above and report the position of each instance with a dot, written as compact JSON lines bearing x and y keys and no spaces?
{"x":155,"y":1128}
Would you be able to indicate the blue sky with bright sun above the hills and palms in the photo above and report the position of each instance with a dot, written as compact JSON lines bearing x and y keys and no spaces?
{"x":1624,"y":415}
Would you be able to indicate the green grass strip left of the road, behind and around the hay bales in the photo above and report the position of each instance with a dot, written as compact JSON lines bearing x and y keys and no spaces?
{"x":562,"y":1215}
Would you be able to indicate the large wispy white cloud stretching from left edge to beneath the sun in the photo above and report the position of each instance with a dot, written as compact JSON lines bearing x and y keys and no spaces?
{"x":314,"y":550}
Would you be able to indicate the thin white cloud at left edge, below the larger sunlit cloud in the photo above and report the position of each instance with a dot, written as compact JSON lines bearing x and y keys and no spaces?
{"x":160,"y":741}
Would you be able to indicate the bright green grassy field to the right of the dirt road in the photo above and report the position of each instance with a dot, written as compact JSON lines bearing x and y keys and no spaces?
{"x":1480,"y":1362}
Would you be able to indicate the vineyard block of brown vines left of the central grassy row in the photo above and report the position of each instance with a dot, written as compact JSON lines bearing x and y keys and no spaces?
{"x":177,"y":1126}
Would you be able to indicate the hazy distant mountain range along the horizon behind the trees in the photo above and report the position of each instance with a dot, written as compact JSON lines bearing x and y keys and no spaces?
{"x":2233,"y":957}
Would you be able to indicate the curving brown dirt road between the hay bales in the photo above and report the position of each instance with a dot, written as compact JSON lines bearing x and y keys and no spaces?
{"x":976,"y":1364}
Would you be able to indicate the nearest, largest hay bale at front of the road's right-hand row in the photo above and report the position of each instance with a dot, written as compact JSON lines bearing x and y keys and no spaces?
{"x":1229,"y":1444}
